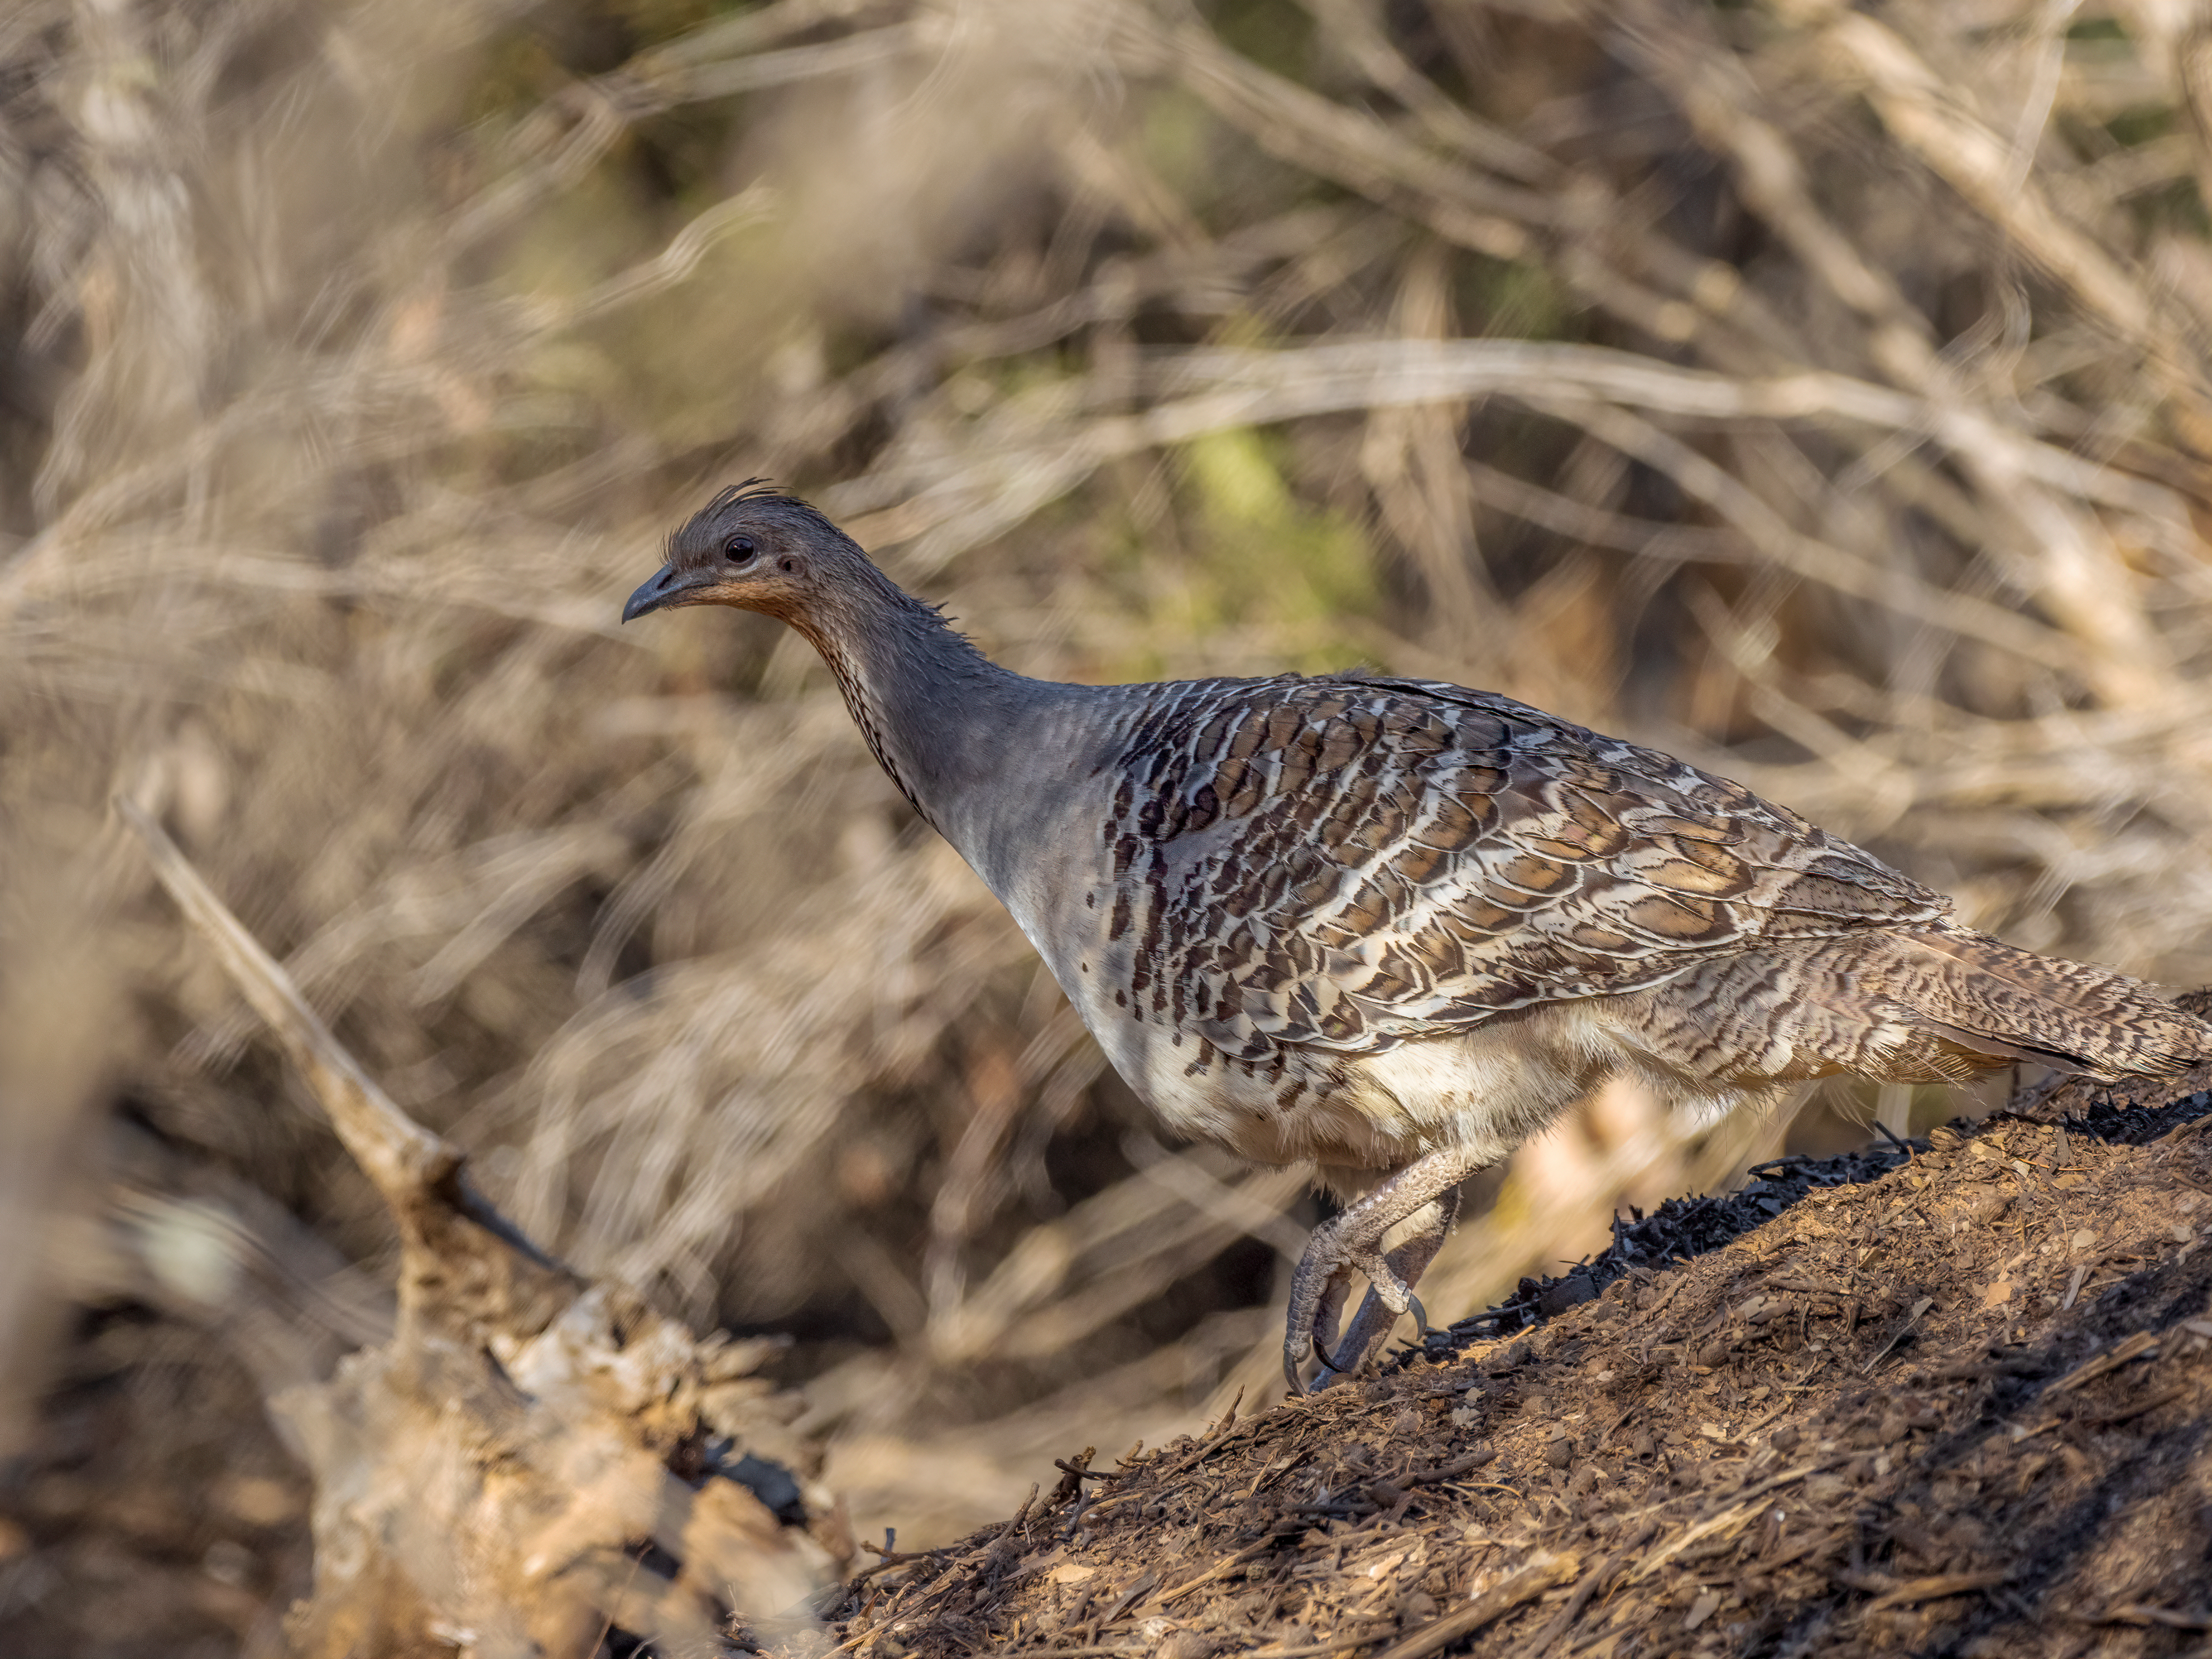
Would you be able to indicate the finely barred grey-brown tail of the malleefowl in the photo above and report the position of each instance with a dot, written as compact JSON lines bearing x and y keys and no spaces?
{"x":1992,"y":999}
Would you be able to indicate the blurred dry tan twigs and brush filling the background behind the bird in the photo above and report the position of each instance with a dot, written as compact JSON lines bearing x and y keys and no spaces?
{"x":1815,"y":390}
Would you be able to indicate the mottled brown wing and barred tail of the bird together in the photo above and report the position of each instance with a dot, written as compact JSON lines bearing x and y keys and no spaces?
{"x":1357,"y":862}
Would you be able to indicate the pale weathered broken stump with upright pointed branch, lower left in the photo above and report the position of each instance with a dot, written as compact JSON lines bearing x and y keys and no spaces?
{"x":510,"y":1461}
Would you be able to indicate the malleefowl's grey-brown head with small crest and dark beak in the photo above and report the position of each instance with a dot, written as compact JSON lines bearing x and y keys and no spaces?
{"x":751,"y":547}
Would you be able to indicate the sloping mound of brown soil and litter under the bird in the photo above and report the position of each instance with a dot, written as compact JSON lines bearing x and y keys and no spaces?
{"x":1945,"y":1399}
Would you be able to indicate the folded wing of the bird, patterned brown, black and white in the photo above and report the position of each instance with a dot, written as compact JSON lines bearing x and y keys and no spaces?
{"x":1350,"y":864}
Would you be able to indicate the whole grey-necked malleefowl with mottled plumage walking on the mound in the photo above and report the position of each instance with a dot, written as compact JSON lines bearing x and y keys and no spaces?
{"x":1399,"y":926}
